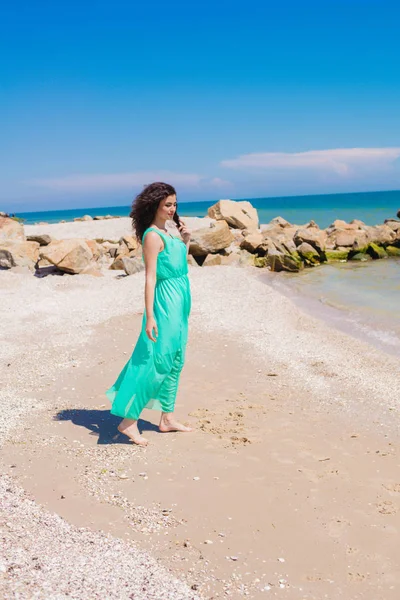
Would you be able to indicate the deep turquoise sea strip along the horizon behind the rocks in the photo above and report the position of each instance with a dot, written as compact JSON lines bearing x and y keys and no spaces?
{"x":370,"y":207}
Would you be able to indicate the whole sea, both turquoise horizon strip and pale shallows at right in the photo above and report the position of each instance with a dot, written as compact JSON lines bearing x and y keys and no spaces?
{"x":362,"y":299}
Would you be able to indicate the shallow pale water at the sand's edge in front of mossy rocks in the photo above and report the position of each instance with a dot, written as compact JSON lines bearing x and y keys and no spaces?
{"x":362,"y":299}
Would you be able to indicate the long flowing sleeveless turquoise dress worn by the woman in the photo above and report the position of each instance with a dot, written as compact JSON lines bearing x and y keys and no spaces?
{"x":150,"y":377}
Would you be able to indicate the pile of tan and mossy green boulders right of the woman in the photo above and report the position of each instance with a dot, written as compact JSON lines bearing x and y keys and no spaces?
{"x":235,"y":238}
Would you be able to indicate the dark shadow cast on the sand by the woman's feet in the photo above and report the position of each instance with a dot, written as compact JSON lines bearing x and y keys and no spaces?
{"x":101,"y":423}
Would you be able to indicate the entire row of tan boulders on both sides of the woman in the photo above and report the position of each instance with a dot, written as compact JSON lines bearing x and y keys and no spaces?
{"x":231,"y":235}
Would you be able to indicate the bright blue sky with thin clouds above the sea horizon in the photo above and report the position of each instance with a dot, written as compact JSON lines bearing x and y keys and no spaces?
{"x":222,"y":99}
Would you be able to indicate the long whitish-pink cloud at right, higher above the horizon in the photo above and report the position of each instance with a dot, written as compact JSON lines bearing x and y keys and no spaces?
{"x":341,"y":161}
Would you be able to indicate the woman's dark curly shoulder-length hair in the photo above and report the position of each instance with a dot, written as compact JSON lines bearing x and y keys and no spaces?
{"x":145,"y":205}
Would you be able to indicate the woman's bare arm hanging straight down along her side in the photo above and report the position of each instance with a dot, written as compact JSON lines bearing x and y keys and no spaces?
{"x":151,"y":247}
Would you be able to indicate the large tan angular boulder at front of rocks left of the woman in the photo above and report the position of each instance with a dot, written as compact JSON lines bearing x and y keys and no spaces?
{"x":71,"y":256}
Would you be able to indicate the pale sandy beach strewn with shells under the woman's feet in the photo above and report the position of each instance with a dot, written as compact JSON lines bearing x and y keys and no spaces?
{"x":289,"y":487}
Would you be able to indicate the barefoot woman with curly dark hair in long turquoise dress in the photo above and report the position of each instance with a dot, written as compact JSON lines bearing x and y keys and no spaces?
{"x":151,"y":376}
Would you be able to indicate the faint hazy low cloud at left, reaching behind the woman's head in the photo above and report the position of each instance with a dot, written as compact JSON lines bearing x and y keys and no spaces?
{"x":116,"y":181}
